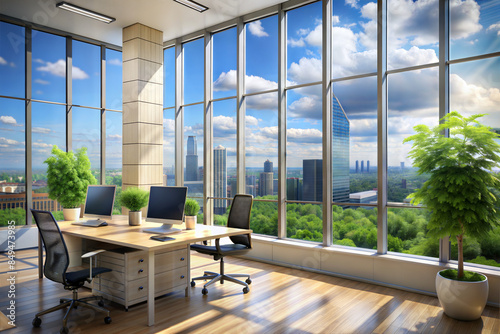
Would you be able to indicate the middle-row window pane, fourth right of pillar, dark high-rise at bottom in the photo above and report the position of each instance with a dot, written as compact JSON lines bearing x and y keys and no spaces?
{"x":261,"y":146}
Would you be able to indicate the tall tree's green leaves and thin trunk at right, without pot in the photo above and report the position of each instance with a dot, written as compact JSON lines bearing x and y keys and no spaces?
{"x":458,"y":191}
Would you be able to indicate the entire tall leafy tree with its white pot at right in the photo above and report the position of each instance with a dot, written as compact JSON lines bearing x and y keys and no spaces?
{"x":459,"y":196}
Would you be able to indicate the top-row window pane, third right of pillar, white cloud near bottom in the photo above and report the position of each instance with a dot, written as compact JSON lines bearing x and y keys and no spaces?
{"x":224,"y":63}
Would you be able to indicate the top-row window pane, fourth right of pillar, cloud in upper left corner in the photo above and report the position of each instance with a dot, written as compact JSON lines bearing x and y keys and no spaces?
{"x":262,"y":55}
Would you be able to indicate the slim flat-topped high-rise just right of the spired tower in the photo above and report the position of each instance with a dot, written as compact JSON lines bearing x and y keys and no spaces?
{"x":220,"y":180}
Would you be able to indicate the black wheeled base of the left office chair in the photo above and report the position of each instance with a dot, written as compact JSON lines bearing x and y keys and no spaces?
{"x":73,"y":303}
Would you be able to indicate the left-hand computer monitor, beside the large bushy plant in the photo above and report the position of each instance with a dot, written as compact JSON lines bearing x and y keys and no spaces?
{"x":99,"y":202}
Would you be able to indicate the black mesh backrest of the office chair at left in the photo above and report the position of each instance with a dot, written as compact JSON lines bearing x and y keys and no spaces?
{"x":56,"y":252}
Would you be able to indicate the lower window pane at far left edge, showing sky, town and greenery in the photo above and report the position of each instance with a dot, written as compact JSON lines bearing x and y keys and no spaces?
{"x":12,"y":162}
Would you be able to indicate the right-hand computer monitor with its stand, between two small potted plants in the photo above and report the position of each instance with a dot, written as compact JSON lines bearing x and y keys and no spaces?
{"x":166,"y":206}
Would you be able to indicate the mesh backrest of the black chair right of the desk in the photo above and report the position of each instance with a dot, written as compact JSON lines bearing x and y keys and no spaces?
{"x":239,"y":217}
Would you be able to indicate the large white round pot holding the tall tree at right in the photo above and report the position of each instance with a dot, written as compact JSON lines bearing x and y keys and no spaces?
{"x":462,"y":300}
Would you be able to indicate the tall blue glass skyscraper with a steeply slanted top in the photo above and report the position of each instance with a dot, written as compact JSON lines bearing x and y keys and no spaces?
{"x":340,"y":153}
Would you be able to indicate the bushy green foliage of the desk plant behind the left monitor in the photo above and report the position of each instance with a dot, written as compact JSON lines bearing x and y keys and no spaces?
{"x":68,"y":175}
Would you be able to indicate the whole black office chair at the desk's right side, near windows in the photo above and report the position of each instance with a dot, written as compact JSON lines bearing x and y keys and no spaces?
{"x":239,"y":217}
